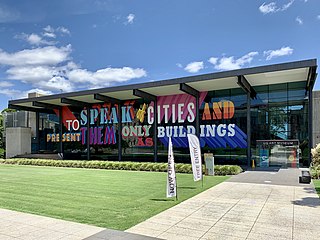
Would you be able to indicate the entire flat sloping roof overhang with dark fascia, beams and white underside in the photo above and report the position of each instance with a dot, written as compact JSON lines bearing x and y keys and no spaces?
{"x":256,"y":76}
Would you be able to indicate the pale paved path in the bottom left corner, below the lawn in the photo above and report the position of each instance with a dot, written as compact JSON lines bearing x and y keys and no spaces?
{"x":16,"y":225}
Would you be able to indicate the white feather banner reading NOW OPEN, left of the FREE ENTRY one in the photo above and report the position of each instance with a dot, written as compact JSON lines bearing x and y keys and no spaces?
{"x":171,"y":180}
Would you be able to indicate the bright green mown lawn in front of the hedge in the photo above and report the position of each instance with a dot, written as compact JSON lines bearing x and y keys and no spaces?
{"x":106,"y":198}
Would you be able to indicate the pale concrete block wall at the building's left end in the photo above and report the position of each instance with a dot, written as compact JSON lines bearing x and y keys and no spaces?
{"x":18,"y":141}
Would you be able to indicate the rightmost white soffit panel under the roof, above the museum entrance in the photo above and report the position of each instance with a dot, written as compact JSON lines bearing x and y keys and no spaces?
{"x":294,"y":75}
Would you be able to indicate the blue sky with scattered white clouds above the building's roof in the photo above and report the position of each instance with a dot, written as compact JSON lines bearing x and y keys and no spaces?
{"x":64,"y":45}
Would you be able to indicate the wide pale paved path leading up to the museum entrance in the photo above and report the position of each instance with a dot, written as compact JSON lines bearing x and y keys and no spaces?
{"x":240,"y":209}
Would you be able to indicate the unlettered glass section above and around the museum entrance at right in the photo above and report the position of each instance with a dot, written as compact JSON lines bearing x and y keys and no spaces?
{"x":280,"y":112}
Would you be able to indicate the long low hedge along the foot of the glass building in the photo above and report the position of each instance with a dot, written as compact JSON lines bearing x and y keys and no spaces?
{"x":132,"y":166}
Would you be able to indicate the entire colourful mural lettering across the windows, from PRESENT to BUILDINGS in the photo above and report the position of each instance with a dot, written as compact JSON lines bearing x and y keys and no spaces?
{"x":176,"y":118}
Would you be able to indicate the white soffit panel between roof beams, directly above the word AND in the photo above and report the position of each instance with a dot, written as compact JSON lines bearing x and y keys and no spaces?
{"x":215,"y":84}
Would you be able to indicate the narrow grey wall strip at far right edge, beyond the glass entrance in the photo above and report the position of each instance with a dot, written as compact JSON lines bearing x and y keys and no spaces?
{"x":316,"y":117}
